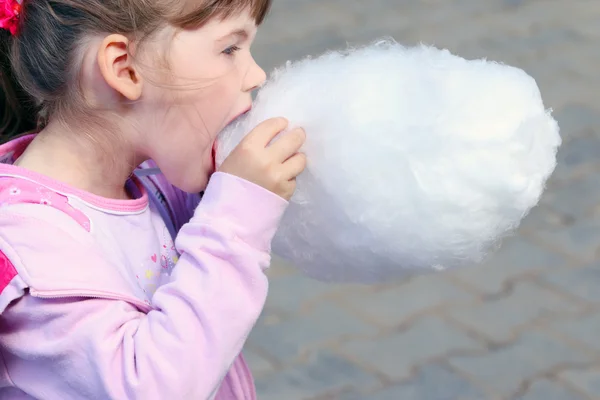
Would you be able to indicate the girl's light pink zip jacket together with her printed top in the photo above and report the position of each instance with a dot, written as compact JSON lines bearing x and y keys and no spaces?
{"x":97,"y":302}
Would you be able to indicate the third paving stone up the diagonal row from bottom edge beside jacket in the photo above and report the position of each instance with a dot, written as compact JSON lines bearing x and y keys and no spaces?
{"x":499,"y":319}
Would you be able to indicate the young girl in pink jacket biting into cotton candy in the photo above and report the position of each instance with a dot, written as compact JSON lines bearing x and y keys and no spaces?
{"x":109,"y":287}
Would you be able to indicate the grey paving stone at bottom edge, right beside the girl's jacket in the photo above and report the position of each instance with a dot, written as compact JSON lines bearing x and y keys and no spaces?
{"x":324,"y":372}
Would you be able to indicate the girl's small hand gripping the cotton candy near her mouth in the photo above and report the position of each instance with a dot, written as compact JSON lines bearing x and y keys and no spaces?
{"x":274,"y":167}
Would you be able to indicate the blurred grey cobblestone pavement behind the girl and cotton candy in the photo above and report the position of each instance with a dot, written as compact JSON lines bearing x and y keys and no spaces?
{"x":524,"y":325}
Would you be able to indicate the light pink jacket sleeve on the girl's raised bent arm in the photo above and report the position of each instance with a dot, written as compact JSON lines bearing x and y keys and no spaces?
{"x":98,"y":349}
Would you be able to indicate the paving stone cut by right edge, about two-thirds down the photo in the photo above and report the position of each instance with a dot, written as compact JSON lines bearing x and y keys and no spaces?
{"x":583,"y":283}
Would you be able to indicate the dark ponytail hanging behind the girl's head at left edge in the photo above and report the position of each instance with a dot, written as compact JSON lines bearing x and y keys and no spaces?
{"x":17,"y":112}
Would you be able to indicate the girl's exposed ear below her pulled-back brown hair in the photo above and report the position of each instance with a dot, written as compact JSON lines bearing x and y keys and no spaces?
{"x":117,"y":67}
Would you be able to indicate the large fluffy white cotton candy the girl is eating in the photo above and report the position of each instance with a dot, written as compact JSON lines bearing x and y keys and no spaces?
{"x":417,"y":159}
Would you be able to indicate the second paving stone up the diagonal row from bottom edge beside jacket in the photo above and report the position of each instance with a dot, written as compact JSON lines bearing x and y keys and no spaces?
{"x":395,"y":354}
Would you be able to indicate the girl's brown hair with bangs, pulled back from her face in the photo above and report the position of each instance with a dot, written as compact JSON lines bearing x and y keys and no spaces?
{"x":39,"y":65}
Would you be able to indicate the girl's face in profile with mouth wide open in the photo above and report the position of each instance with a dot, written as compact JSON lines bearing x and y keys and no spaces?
{"x":212,"y":76}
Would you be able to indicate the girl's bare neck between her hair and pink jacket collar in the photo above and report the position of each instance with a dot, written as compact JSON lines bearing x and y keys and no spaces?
{"x":86,"y":164}
